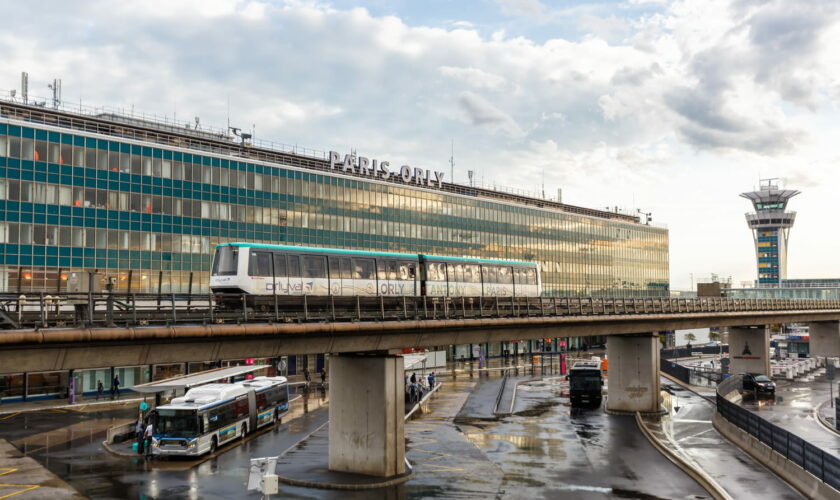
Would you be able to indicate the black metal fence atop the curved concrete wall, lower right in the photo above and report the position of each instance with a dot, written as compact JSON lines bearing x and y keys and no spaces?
{"x":817,"y":462}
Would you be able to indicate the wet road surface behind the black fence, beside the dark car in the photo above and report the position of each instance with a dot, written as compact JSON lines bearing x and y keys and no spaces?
{"x":794,"y":408}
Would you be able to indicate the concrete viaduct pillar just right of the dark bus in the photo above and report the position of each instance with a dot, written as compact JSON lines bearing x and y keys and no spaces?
{"x":633,"y":382}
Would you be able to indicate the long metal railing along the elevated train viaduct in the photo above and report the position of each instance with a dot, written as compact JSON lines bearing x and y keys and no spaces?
{"x":44,"y":309}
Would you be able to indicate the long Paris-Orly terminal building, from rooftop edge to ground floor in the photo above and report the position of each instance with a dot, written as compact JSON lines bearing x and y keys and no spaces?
{"x":146,"y":201}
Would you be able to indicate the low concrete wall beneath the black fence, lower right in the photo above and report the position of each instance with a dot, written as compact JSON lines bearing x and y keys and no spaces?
{"x":807,"y":484}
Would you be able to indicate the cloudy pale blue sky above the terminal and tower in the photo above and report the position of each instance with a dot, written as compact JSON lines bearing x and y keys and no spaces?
{"x":670,"y":107}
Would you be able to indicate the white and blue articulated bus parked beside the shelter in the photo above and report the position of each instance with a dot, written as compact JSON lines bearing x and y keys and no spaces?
{"x":211,"y":415}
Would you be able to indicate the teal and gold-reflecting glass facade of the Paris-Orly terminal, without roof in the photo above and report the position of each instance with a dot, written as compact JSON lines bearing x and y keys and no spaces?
{"x":71,"y":200}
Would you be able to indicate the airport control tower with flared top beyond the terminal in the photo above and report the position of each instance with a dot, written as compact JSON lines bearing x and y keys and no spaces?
{"x":770,"y":224}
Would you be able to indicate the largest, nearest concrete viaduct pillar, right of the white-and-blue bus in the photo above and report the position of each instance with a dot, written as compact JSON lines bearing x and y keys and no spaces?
{"x":367,"y":408}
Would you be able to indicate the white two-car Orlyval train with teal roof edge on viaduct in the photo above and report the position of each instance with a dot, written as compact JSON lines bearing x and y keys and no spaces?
{"x":260,"y":269}
